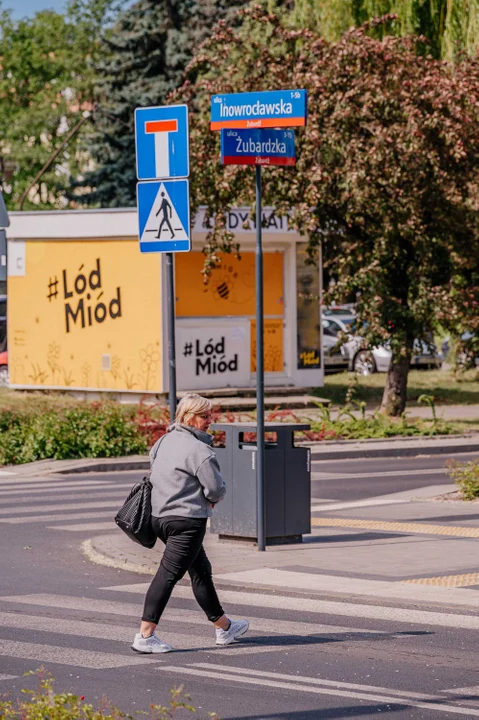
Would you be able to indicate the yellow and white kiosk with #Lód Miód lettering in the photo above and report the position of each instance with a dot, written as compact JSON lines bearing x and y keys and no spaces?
{"x":87,"y":311}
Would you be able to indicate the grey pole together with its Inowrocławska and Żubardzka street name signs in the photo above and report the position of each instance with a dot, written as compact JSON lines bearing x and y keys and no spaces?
{"x":242,"y":119}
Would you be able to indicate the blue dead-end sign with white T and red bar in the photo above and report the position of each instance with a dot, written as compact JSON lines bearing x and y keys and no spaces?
{"x":161,"y":138}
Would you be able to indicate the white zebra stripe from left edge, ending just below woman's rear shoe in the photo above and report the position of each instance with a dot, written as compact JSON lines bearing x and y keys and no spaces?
{"x":68,"y":656}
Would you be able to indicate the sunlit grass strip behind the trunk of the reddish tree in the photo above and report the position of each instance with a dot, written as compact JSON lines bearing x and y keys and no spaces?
{"x":446,"y":387}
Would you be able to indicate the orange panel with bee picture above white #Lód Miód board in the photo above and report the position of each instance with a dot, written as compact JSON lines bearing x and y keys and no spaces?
{"x":231,"y":287}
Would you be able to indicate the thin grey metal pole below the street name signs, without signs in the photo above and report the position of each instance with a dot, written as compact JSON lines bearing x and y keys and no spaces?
{"x":259,"y":368}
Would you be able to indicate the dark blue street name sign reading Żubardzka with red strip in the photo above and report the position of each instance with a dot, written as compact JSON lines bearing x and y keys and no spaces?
{"x":258,"y":147}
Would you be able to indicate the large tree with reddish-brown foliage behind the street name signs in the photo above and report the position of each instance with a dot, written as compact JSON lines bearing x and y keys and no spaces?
{"x":387,"y":174}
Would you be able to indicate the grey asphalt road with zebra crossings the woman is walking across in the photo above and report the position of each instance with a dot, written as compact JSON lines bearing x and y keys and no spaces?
{"x":78,"y":619}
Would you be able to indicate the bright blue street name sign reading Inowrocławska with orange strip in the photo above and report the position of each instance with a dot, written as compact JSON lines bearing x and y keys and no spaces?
{"x":275,"y":108}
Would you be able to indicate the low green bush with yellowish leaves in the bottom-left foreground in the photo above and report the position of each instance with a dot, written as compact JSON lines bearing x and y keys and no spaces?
{"x":44,"y":704}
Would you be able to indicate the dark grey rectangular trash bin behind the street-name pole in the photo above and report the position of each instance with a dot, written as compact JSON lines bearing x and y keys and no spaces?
{"x":287,"y":485}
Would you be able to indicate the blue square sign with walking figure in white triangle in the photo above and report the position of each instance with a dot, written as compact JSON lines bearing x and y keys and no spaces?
{"x":164,"y":216}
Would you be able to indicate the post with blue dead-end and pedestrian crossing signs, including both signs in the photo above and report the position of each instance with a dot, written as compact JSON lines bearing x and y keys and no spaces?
{"x":162,"y":154}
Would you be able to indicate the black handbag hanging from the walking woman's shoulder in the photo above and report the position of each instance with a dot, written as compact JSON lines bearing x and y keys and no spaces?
{"x":134,"y":517}
